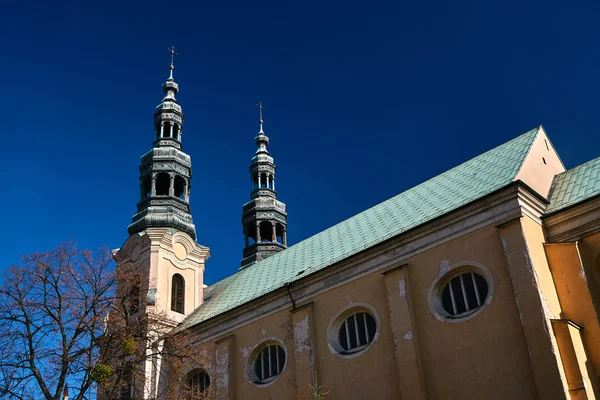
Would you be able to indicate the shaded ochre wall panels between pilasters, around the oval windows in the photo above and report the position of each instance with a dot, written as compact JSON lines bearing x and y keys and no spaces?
{"x":482,"y":357}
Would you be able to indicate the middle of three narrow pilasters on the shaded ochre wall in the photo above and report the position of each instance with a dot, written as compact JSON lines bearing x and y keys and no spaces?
{"x":305,"y":370}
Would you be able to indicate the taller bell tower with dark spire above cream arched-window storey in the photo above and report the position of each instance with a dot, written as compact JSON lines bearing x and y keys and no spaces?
{"x":162,"y":247}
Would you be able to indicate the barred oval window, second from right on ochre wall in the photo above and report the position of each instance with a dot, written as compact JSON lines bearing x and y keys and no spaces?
{"x":357,"y":332}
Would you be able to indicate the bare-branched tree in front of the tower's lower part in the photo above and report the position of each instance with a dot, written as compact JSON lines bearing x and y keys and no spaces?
{"x":70,"y":321}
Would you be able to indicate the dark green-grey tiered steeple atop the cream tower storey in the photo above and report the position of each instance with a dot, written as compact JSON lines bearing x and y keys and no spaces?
{"x":165,"y":171}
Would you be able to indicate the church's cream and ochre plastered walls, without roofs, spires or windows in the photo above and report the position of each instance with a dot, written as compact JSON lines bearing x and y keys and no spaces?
{"x":536,"y":336}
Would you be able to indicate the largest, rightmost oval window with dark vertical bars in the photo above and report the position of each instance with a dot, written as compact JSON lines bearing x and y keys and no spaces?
{"x":464,"y":294}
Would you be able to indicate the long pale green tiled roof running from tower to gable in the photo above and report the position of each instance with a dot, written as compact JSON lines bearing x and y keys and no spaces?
{"x":452,"y":189}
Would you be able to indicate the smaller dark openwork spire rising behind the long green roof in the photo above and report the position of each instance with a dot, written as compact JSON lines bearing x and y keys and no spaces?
{"x":264,"y":218}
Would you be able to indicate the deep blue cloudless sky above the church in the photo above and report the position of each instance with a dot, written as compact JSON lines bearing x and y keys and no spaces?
{"x":363,"y":100}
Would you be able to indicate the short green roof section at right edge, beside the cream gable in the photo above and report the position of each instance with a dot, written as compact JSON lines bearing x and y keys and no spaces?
{"x":574,"y":186}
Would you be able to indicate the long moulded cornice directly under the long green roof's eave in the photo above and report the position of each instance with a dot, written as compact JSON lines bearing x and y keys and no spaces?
{"x":510,"y":202}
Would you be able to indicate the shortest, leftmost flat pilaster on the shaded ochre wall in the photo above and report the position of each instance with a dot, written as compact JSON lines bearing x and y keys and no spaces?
{"x":224,"y":369}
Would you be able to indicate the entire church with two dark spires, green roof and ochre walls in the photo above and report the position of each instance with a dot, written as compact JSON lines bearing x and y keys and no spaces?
{"x":480,"y":283}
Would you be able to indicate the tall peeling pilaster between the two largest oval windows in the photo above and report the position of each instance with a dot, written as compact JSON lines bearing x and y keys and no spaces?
{"x":409,"y":367}
